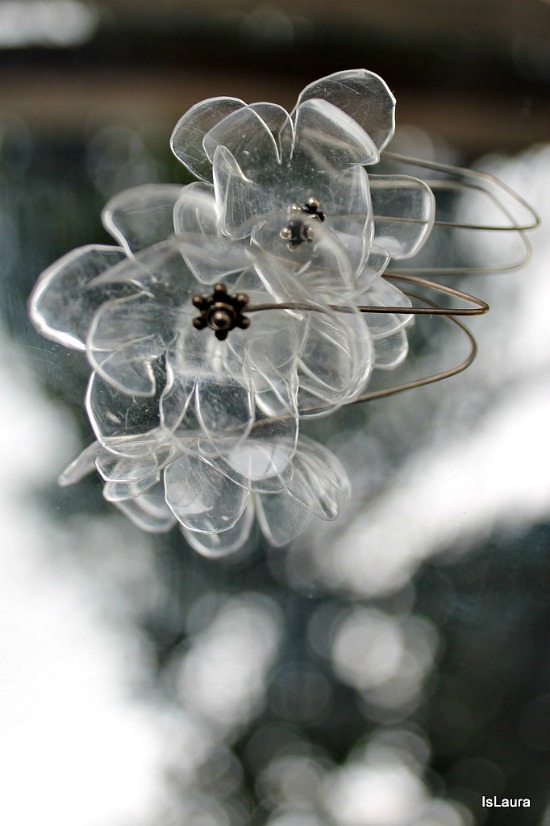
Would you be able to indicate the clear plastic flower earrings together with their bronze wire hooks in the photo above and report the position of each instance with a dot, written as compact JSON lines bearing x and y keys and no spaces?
{"x":237,"y":306}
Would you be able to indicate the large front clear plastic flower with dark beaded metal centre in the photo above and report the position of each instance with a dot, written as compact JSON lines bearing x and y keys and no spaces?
{"x":131,"y":308}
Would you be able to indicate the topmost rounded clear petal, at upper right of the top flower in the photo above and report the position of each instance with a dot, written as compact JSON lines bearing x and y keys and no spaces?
{"x":363,"y":95}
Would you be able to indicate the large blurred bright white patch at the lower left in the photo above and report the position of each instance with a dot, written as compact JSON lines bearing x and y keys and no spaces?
{"x":74,"y":748}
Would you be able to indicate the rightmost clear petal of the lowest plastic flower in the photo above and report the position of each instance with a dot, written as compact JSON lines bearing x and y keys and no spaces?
{"x":319,"y":481}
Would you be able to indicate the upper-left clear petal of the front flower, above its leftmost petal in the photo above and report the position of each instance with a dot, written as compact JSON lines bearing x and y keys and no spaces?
{"x":142,"y":216}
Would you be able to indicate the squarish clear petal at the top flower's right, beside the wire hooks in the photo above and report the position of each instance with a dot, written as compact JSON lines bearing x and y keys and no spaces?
{"x":404,"y":211}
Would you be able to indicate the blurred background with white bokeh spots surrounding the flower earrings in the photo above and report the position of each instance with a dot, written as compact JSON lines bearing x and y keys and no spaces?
{"x":388,"y":669}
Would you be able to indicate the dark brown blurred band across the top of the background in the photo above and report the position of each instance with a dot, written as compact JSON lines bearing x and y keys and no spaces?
{"x":475,"y":73}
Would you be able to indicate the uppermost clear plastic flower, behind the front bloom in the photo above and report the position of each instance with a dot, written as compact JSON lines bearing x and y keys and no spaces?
{"x":308,"y":166}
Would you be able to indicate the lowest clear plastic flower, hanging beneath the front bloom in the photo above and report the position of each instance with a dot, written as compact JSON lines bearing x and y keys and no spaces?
{"x":285,"y":482}
